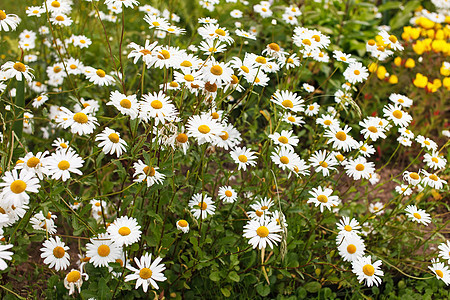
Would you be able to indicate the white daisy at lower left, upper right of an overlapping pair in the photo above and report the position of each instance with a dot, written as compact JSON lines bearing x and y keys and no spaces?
{"x":124,"y":231}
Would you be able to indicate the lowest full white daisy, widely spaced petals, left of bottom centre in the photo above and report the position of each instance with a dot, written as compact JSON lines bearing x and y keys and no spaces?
{"x":147,"y":272}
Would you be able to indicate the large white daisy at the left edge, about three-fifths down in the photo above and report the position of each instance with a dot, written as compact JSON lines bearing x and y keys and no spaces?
{"x":15,"y":187}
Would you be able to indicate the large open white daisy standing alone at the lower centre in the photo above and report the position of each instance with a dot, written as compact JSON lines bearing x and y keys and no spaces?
{"x":262,"y":233}
